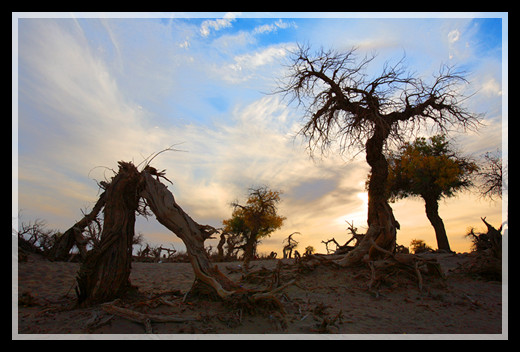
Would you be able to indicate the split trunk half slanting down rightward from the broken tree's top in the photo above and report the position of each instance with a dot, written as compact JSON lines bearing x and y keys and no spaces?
{"x":208,"y":279}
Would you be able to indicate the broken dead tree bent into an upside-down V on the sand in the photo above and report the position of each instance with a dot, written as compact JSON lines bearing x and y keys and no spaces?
{"x":104,"y":273}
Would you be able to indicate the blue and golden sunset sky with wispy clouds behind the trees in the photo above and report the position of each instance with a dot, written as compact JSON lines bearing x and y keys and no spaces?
{"x":92,"y":89}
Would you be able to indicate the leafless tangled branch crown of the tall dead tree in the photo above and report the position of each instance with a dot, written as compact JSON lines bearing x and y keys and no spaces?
{"x":343,"y":105}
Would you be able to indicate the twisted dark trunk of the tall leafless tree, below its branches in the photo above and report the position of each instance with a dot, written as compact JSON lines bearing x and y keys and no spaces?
{"x":382,"y":226}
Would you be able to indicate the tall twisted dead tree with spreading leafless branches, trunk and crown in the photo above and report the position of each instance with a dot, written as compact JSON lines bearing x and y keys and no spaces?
{"x":344,"y":104}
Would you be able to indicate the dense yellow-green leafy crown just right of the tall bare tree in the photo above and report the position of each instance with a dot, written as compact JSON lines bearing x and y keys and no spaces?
{"x":429,"y":168}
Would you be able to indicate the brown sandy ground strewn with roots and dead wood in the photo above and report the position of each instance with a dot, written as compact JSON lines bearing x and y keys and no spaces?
{"x":326,"y":302}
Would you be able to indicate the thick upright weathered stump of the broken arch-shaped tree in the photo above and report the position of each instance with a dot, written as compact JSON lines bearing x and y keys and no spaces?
{"x":104,"y":274}
